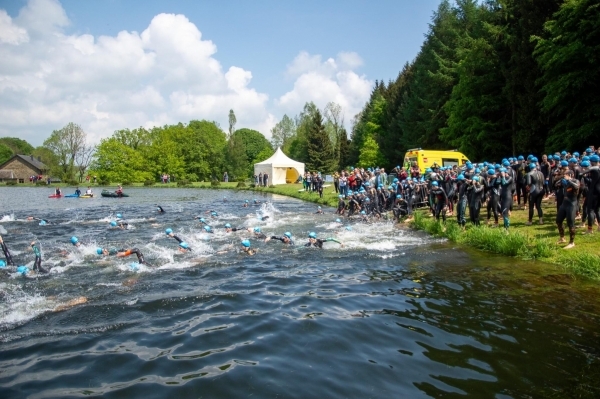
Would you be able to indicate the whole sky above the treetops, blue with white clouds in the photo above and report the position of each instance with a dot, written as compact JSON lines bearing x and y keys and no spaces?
{"x":261,"y":58}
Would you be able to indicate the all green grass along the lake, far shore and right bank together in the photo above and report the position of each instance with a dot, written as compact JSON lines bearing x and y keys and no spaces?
{"x":536,"y":242}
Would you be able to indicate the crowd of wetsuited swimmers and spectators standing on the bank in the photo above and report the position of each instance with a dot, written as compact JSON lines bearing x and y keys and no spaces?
{"x":572,"y":179}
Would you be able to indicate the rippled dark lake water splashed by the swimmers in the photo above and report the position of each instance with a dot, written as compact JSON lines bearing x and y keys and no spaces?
{"x":393,"y":314}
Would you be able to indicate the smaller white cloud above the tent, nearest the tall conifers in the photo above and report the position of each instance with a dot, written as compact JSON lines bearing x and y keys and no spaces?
{"x":324,"y":81}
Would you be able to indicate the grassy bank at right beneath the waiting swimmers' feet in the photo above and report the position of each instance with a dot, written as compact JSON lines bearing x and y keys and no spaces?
{"x":522,"y":241}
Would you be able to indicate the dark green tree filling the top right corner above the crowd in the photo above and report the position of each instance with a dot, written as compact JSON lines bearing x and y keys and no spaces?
{"x":569,"y":57}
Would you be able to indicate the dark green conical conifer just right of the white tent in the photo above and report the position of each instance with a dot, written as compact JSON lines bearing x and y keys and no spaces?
{"x":320,"y":151}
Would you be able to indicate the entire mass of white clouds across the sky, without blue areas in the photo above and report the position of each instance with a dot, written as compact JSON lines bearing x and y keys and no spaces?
{"x":166,"y":74}
